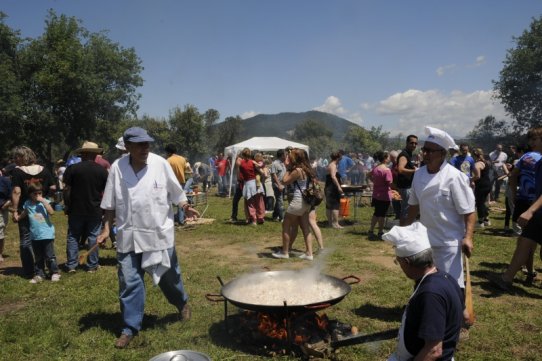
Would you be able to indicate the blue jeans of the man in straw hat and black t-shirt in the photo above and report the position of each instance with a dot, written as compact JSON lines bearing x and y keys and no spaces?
{"x":82,"y":226}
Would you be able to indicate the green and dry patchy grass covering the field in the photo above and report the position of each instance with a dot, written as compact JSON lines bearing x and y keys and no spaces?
{"x":78,"y":318}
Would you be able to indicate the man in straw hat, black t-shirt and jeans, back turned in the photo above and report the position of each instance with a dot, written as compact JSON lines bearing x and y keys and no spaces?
{"x":84,"y":186}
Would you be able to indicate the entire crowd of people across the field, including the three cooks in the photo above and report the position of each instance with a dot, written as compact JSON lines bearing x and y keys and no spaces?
{"x":437,"y":199}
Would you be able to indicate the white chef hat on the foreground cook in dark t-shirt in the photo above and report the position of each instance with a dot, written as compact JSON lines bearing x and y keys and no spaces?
{"x":408,"y":240}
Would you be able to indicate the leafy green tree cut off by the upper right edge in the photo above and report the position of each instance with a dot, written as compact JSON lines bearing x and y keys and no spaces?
{"x":520,"y":83}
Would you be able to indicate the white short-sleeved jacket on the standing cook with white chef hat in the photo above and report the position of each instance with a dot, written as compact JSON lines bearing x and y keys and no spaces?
{"x":444,"y":198}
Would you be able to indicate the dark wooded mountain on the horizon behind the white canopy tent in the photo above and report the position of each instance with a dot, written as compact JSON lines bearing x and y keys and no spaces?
{"x":282,"y":125}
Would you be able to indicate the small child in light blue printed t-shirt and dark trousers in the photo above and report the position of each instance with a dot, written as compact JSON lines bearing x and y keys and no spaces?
{"x":42,"y":232}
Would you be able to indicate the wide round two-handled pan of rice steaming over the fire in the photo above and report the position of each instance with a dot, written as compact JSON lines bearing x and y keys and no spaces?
{"x":234,"y":290}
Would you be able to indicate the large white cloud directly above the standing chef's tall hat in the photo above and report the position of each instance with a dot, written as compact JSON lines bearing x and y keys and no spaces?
{"x":456,"y":112}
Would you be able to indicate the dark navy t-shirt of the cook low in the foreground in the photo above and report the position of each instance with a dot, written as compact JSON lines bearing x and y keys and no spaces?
{"x":435,"y":313}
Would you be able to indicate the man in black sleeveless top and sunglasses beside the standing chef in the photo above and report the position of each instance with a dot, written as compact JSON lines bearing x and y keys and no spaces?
{"x":405,"y":172}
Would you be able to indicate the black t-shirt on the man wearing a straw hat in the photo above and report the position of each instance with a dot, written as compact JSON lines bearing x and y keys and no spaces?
{"x":87,"y":183}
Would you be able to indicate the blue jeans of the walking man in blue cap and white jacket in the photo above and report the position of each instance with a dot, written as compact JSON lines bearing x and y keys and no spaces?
{"x":132,"y":288}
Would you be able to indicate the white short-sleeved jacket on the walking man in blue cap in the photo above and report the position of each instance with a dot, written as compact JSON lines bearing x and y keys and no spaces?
{"x":143,"y":204}
